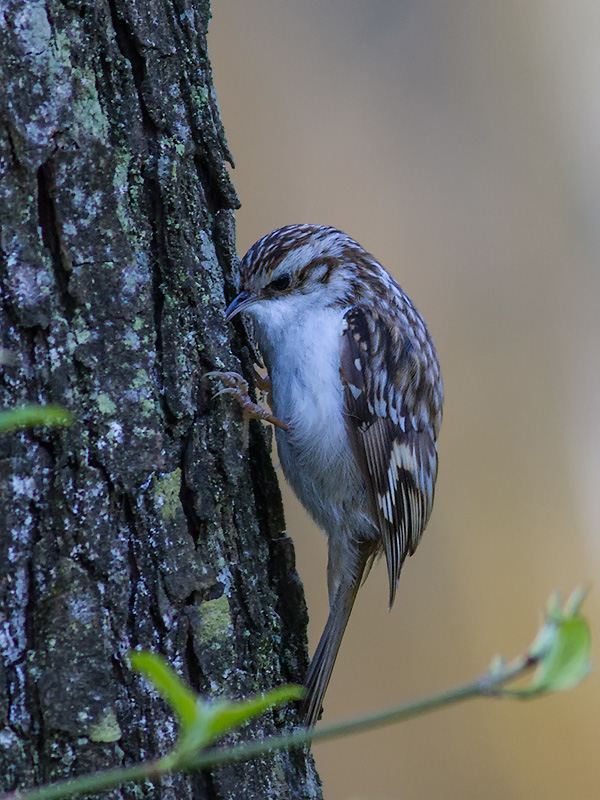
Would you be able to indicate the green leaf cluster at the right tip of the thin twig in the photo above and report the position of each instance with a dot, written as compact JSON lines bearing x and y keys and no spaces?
{"x":562,"y":648}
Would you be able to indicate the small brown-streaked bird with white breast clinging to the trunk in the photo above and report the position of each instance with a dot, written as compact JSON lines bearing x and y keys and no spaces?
{"x":356,"y":396}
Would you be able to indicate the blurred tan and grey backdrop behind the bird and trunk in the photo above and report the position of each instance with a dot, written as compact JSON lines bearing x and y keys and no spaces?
{"x":460,"y":143}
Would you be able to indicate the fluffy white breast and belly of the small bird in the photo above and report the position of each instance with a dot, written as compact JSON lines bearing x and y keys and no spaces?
{"x":301,"y":346}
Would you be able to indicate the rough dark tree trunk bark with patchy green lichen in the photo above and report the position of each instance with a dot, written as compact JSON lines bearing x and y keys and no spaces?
{"x":145,"y":523}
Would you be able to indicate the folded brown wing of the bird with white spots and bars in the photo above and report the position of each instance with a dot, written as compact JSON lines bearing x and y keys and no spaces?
{"x":393,"y":400}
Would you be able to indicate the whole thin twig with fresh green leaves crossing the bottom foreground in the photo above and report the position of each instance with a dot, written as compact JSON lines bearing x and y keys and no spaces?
{"x":559,"y":658}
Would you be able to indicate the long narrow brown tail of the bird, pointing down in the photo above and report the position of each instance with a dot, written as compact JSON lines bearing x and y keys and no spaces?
{"x":321,"y":666}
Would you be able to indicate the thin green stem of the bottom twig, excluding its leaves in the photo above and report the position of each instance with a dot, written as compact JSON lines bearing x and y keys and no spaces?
{"x":486,"y":685}
